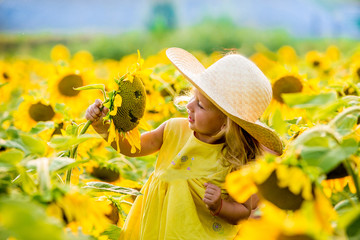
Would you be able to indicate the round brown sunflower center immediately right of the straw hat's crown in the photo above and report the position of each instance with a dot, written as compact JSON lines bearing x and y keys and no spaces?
{"x":287,"y":84}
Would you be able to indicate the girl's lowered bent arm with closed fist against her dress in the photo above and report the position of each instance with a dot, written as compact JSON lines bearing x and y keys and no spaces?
{"x":229,"y":210}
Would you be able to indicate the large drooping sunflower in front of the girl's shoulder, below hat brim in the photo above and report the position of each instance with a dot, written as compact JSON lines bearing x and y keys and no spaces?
{"x":285,"y":186}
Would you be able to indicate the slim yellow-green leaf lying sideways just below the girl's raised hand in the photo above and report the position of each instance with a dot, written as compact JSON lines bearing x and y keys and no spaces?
{"x":66,"y":142}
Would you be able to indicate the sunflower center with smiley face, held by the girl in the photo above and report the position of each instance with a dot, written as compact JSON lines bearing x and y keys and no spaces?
{"x":133,"y":105}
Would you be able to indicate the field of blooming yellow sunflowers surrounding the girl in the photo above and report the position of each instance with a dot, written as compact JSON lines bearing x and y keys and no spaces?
{"x":60,"y":180}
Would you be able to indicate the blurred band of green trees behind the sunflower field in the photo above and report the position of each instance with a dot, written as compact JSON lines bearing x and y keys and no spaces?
{"x":211,"y":34}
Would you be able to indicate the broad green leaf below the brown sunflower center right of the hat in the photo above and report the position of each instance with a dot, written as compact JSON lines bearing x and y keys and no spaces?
{"x":303,"y":100}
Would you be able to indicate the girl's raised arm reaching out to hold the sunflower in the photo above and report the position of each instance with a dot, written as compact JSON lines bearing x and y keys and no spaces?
{"x":150,"y":141}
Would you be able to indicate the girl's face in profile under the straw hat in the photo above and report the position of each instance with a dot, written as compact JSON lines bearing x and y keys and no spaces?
{"x":205,"y":119}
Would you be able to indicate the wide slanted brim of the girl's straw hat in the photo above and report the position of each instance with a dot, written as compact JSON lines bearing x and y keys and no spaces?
{"x":191,"y":68}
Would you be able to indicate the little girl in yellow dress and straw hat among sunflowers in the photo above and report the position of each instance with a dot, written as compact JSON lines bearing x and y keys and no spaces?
{"x":183,"y":198}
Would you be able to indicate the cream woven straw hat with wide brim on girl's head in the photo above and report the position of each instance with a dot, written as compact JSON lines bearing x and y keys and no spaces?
{"x":236,"y":86}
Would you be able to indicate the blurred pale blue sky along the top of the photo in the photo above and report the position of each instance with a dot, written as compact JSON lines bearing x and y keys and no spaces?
{"x":302,"y":18}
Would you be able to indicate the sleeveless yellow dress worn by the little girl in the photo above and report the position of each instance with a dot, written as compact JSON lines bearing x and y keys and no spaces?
{"x":171,"y":207}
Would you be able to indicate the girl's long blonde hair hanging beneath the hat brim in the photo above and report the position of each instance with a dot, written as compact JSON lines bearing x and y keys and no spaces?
{"x":239,"y":148}
